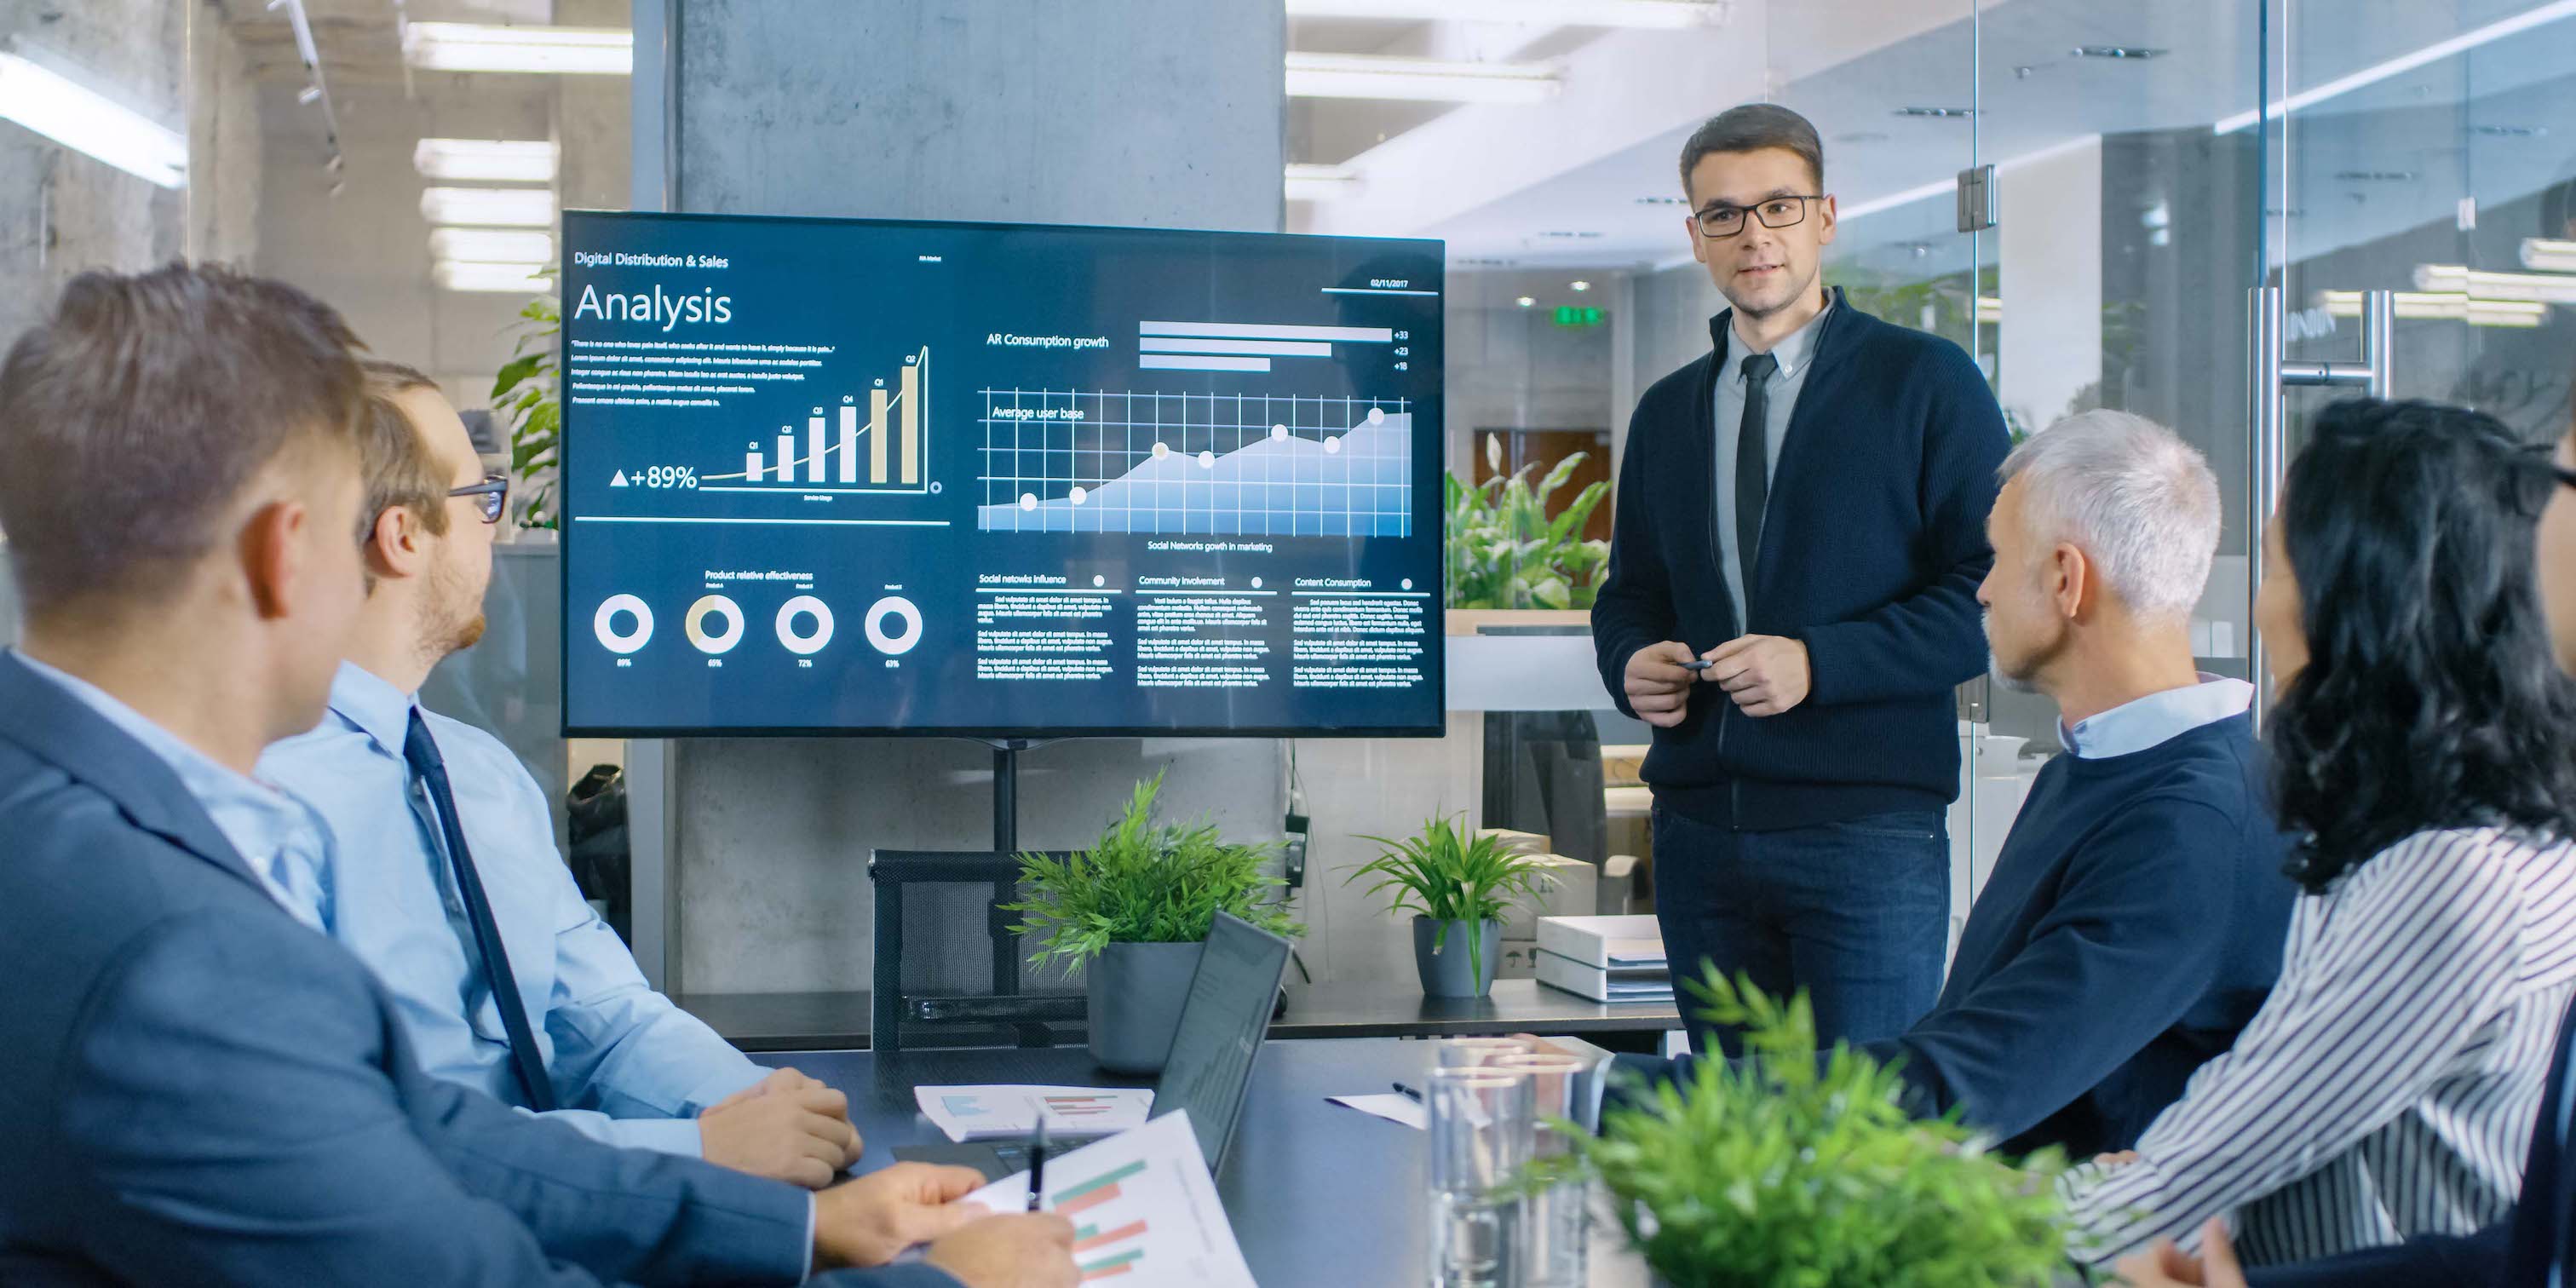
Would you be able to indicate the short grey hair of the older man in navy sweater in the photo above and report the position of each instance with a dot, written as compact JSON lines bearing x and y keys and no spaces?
{"x":2134,"y":498}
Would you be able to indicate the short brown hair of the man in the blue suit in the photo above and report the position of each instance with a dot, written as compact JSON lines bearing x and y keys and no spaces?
{"x":143,"y":406}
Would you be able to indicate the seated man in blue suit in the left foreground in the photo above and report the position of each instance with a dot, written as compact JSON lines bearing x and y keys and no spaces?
{"x":194,"y":1088}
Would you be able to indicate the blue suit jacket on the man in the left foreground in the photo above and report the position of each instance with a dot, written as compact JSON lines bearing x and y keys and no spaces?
{"x":197,"y":1088}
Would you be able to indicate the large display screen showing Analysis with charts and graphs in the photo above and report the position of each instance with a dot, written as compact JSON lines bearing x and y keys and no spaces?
{"x":998,"y":480}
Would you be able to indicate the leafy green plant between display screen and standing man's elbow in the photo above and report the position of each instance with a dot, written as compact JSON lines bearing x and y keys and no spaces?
{"x":1506,"y":553}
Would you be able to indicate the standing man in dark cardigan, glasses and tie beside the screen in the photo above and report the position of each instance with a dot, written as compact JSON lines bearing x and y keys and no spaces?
{"x":1802,"y":511}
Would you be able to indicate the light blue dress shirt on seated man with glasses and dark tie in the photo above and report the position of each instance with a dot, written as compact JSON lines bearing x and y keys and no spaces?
{"x":630,"y":1065}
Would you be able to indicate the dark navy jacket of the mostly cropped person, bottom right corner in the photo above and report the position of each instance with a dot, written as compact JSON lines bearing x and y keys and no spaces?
{"x":2515,"y":1253}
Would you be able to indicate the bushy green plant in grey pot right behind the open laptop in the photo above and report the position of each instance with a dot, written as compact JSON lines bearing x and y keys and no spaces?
{"x":1135,"y":913}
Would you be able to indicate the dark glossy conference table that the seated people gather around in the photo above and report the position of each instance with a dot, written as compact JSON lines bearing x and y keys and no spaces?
{"x":1318,"y":1194}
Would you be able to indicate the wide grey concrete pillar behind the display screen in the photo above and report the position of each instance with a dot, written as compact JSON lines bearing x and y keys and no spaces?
{"x":1083,"y":112}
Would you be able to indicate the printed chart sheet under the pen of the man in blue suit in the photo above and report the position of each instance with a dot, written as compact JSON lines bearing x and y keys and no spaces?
{"x":1145,"y":1209}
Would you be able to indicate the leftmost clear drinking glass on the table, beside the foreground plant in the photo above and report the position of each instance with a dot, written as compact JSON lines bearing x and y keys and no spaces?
{"x":1482,"y":1137}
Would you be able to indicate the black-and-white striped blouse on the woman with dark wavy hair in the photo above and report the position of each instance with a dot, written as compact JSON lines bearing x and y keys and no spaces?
{"x":2389,"y":1083}
